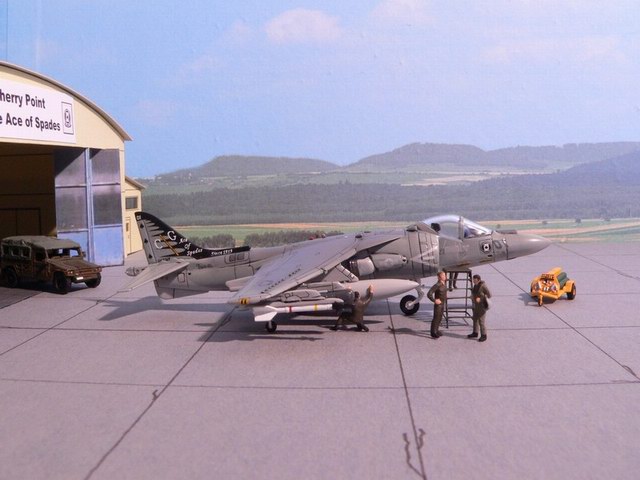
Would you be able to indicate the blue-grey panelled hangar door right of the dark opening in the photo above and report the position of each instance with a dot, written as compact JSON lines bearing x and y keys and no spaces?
{"x":88,"y":202}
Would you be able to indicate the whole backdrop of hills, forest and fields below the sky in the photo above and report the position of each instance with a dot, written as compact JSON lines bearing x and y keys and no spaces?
{"x":594,"y":188}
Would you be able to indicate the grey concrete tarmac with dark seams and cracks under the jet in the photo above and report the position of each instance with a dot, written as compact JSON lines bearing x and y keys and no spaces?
{"x":99,"y":384}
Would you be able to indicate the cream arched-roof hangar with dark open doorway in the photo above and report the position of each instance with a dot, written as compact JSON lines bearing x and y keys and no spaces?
{"x":62,"y":167}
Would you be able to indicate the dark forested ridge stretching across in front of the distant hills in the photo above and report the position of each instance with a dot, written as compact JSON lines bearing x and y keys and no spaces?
{"x":603,"y":189}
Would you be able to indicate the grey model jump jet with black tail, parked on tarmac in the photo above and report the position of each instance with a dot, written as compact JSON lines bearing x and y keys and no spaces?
{"x":322,"y":274}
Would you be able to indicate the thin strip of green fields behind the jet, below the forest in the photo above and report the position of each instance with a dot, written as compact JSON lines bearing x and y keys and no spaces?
{"x":615,"y":230}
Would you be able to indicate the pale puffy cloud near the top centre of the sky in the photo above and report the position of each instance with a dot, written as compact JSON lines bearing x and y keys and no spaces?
{"x":303,"y":26}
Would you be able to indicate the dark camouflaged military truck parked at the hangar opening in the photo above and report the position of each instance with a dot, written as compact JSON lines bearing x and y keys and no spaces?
{"x":46,"y":259}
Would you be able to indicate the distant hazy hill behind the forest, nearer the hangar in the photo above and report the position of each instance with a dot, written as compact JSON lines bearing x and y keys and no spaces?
{"x":236,"y":165}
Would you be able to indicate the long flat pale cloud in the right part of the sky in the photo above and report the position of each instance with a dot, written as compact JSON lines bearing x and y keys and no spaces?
{"x":583,"y":50}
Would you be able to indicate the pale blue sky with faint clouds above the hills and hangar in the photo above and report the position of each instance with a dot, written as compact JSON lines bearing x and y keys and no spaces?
{"x":333,"y":80}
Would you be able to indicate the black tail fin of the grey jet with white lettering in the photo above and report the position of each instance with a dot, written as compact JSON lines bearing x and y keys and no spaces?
{"x":162,"y":242}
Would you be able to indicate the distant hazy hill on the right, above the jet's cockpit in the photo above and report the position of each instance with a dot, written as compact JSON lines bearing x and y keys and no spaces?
{"x":422,"y":154}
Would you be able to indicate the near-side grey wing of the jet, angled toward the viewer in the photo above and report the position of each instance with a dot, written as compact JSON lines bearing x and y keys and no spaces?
{"x":301,"y":263}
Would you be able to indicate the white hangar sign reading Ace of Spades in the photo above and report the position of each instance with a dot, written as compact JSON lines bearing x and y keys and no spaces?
{"x":33,"y":113}
